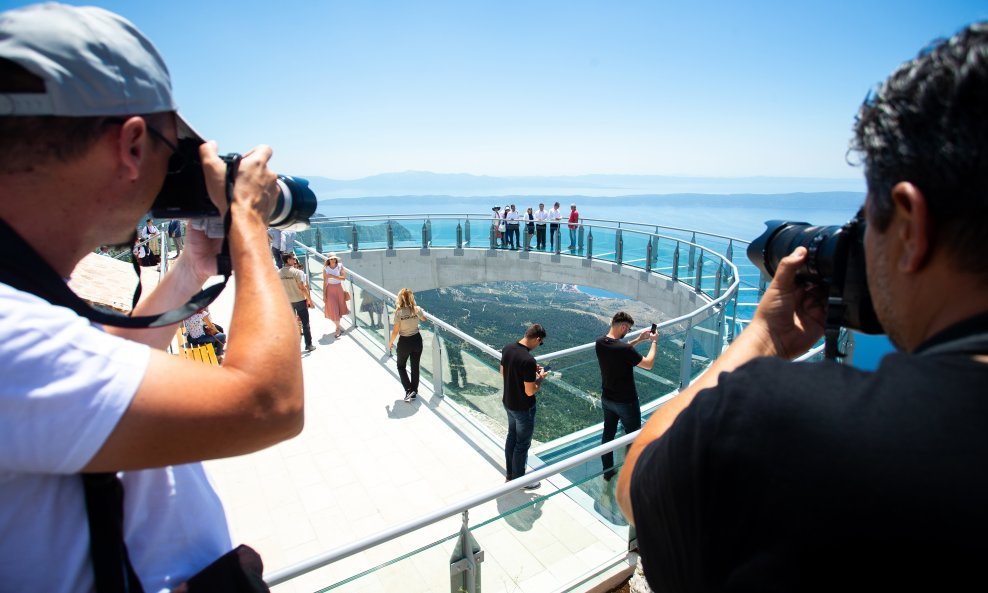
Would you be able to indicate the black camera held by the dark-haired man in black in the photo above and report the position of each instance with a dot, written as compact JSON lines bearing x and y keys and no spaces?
{"x":835,"y":260}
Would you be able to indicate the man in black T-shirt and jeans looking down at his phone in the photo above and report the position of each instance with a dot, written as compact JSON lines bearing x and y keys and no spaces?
{"x":522,"y":380}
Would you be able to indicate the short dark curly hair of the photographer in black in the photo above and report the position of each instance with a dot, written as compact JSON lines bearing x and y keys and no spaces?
{"x":928,"y":125}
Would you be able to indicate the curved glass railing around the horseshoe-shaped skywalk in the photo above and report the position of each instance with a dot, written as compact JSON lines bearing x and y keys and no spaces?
{"x":465,"y":367}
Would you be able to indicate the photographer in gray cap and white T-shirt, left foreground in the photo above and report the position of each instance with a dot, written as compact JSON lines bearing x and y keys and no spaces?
{"x":88,"y":132}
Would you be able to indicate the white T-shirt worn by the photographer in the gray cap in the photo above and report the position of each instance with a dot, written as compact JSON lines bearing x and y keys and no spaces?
{"x":65,"y":386}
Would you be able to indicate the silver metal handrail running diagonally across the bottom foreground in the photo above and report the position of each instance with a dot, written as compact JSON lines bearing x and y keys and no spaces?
{"x":341,"y":552}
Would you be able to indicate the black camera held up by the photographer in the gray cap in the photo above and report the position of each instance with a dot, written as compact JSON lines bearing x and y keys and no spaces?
{"x":184,"y":193}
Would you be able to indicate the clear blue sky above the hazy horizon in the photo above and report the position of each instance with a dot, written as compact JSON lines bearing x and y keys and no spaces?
{"x":712,"y":89}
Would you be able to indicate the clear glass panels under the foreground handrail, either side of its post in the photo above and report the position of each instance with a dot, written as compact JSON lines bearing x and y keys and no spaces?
{"x":530,"y":542}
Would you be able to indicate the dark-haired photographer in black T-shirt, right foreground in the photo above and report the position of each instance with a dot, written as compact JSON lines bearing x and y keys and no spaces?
{"x":769,"y":475}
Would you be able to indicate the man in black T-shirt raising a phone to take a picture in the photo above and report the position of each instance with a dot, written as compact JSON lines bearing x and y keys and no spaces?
{"x":619,"y":398}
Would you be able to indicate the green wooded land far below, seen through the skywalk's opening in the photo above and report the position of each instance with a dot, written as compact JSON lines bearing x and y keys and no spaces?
{"x":499,"y":313}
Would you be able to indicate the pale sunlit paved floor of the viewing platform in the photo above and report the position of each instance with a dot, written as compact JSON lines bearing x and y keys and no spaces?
{"x":366,"y":461}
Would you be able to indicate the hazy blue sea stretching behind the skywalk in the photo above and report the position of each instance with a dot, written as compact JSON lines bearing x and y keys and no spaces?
{"x":739,"y":216}
